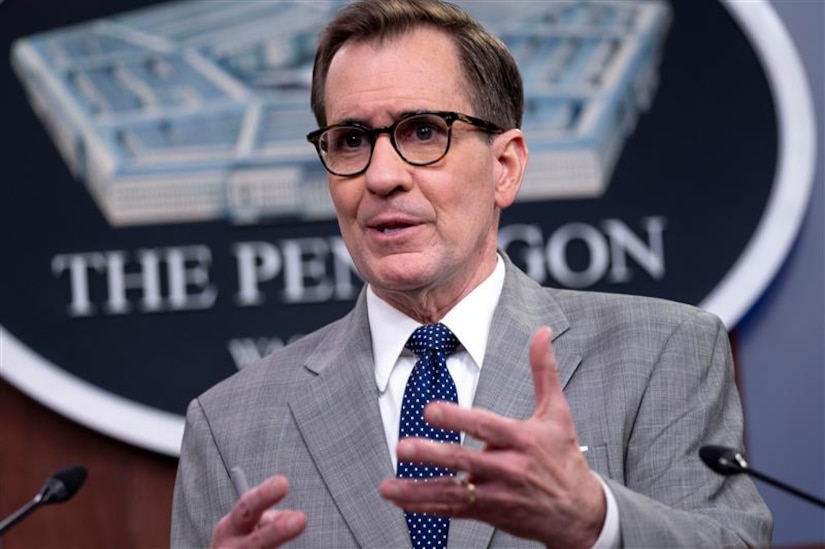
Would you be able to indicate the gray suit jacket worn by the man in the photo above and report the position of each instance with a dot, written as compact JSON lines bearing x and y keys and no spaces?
{"x":648,"y":382}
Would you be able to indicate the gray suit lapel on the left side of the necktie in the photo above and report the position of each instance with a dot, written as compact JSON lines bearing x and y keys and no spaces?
{"x":340,"y":421}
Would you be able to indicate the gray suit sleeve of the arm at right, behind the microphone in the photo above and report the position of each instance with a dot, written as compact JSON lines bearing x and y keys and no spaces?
{"x":669,"y":497}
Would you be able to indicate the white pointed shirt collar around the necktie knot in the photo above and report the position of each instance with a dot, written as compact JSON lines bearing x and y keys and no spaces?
{"x":469,"y":320}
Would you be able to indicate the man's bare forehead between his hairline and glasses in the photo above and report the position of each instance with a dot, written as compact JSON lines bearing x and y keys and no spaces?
{"x":376,"y":81}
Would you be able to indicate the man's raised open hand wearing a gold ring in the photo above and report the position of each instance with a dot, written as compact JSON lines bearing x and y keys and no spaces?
{"x":530,"y":479}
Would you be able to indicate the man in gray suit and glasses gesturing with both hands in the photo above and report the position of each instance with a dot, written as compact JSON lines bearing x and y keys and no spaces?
{"x":590,"y":440}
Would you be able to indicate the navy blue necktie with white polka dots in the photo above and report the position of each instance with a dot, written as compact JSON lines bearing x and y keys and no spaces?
{"x":428,"y":381}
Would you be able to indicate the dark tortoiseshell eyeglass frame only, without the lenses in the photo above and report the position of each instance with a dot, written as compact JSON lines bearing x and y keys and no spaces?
{"x":449,"y":118}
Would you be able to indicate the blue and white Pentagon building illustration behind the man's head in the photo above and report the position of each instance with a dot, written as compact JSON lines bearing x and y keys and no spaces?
{"x":196,"y":111}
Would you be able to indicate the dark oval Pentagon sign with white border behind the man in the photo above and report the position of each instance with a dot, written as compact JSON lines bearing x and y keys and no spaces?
{"x":165,"y":222}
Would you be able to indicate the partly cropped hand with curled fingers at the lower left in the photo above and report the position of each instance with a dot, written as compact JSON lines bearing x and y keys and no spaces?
{"x":252,"y":522}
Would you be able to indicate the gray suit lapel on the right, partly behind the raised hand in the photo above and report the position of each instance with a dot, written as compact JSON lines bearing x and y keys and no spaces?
{"x":505,"y":385}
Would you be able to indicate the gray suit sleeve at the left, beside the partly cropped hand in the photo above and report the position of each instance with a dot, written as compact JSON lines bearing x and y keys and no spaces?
{"x":203,"y":491}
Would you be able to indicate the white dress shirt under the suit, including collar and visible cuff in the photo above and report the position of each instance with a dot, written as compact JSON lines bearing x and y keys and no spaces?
{"x":470,"y":321}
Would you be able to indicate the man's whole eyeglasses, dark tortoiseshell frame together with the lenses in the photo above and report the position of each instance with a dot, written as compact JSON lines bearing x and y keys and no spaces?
{"x":419,"y":138}
